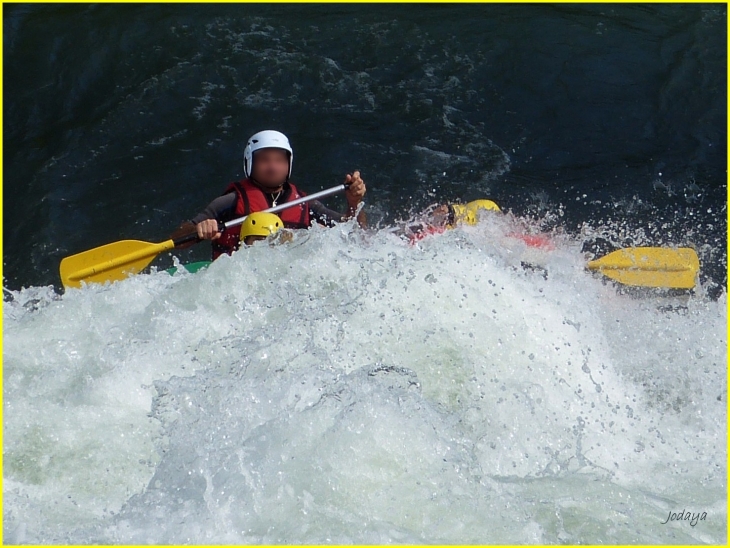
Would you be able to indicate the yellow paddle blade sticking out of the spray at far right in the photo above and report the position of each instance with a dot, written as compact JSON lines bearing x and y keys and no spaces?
{"x":650,"y":267}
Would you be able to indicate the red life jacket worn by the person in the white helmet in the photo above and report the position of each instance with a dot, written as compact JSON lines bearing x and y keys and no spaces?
{"x":250,"y":199}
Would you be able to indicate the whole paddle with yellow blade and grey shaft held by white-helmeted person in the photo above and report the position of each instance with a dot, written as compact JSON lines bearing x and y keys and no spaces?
{"x":118,"y":260}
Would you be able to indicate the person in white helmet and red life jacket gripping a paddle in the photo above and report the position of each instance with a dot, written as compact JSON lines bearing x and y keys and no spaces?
{"x":267,"y":164}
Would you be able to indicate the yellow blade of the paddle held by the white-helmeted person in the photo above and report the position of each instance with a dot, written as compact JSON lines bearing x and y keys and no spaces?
{"x":110,"y":262}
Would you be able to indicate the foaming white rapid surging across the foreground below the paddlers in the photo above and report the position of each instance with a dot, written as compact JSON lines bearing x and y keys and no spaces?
{"x":349,"y":387}
